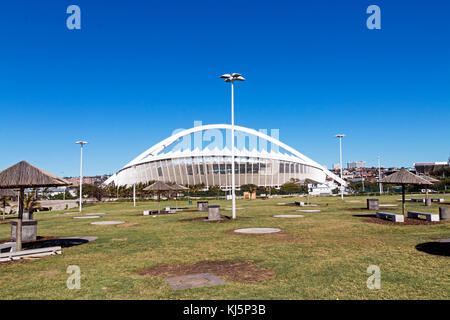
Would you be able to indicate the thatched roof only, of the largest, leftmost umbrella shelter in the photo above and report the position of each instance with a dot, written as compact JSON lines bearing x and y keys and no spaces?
{"x":25,"y":175}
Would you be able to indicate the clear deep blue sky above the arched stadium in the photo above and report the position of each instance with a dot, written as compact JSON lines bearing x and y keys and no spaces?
{"x":137,"y":70}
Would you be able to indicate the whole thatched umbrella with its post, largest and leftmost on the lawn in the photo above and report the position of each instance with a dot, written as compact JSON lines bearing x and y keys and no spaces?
{"x":23,"y":175}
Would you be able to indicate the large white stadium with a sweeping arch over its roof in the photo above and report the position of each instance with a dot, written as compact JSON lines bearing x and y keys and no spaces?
{"x":259,"y":159}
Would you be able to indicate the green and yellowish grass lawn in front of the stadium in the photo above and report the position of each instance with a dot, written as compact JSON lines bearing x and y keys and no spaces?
{"x":321,"y":256}
